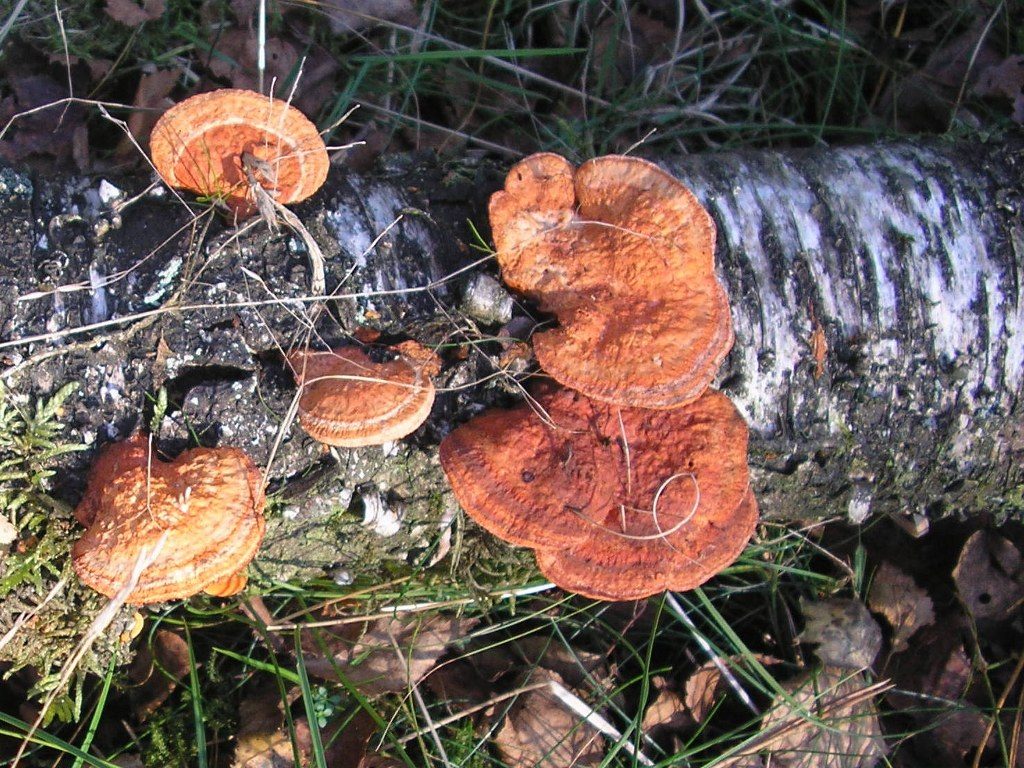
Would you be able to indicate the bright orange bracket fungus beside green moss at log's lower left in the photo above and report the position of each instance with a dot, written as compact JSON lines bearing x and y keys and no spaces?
{"x":206,"y":507}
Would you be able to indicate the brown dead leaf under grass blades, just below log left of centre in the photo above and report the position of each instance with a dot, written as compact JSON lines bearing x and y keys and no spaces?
{"x":392,"y":656}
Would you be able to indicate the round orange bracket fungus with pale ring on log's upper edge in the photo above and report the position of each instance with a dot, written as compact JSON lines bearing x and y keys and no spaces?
{"x":218,"y":144}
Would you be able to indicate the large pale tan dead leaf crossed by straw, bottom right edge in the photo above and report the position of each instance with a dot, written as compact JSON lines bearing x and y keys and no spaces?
{"x":848,"y":736}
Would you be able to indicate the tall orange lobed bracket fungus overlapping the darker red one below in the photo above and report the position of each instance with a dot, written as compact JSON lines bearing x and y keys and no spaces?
{"x":623,"y":254}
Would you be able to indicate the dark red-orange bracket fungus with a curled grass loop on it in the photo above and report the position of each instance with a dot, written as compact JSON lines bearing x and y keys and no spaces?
{"x":618,"y":503}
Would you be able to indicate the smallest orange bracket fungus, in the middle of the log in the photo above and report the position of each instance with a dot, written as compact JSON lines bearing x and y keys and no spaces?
{"x":351,"y":401}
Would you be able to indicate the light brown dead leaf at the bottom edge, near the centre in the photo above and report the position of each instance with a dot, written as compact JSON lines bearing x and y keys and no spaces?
{"x":540,"y":731}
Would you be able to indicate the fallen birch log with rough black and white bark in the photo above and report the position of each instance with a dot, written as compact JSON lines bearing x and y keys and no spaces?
{"x":876,"y":296}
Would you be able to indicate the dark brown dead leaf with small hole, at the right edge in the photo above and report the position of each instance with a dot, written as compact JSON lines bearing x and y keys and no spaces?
{"x":990,"y":577}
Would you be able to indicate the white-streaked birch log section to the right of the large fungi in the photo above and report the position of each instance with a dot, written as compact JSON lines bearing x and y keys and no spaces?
{"x":880,"y":323}
